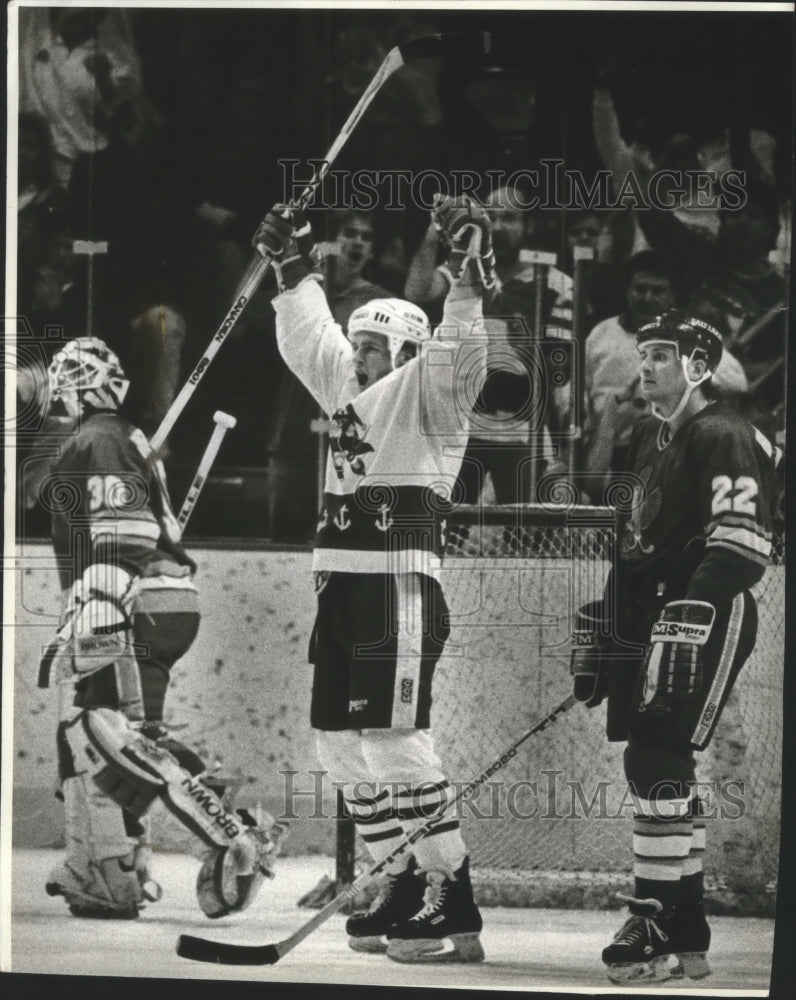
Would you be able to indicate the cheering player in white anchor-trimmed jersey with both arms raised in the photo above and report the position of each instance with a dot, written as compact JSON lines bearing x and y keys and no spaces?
{"x":396,"y":444}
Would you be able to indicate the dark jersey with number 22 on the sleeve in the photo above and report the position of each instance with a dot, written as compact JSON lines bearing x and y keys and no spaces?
{"x":700,"y":525}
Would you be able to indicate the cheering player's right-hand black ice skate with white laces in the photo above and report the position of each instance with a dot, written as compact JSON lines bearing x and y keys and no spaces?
{"x":446,"y":929}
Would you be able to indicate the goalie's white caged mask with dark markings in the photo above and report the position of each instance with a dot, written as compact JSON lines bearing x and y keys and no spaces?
{"x":86,"y":373}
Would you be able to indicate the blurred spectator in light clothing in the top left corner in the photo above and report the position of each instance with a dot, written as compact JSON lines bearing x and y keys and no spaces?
{"x":75,"y":63}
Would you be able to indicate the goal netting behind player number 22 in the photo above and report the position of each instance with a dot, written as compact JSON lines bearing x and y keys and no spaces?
{"x":554,"y":825}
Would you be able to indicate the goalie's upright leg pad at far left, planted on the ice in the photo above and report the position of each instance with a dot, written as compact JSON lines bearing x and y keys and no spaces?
{"x":100,"y":876}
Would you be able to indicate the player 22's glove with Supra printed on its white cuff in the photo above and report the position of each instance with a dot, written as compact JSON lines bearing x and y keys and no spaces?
{"x":674,"y":665}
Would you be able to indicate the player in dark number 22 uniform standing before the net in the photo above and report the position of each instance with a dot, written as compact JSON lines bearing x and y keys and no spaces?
{"x":697,"y":539}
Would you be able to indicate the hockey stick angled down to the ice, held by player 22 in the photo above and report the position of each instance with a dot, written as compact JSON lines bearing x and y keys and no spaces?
{"x":202,"y":950}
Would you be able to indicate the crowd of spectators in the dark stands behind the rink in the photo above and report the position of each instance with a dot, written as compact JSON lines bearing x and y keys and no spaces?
{"x":138,"y":192}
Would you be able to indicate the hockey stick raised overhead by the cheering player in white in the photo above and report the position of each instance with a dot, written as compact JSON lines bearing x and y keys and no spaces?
{"x":478,"y":43}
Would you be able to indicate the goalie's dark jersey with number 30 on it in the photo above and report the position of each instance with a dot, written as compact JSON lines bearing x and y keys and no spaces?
{"x":114,"y":505}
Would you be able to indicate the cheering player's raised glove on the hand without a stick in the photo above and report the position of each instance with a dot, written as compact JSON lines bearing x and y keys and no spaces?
{"x":466,"y":231}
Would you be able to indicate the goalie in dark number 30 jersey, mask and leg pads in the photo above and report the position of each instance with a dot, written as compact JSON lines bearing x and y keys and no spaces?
{"x":130,"y":613}
